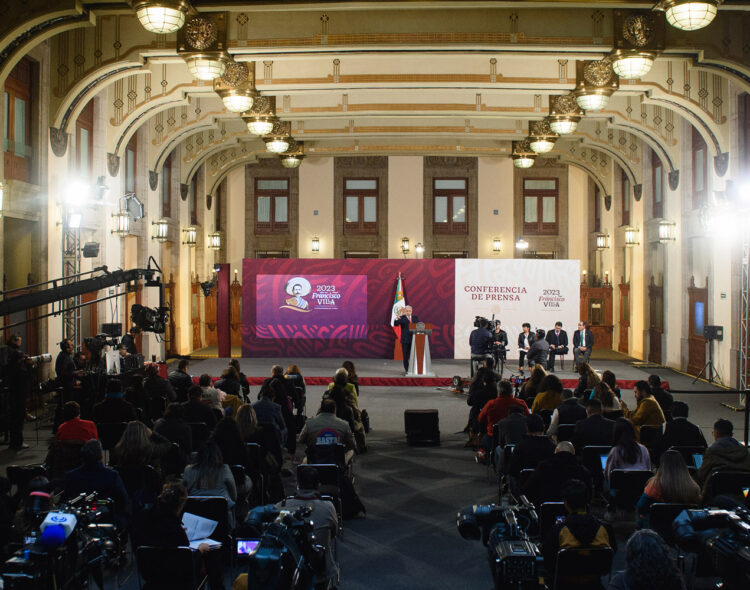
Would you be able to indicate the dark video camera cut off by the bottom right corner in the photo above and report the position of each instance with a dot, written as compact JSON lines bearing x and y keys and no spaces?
{"x":724,"y":537}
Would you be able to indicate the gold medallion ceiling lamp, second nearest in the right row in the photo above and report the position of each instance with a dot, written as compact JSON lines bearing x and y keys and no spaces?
{"x":639,"y":38}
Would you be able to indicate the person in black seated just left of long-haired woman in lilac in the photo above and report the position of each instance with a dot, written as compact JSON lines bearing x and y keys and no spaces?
{"x":547,"y":482}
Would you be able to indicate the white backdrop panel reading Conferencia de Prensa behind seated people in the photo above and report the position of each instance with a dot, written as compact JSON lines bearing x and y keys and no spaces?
{"x":540,"y":292}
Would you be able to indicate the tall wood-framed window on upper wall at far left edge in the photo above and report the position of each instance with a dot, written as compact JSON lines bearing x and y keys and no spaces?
{"x":17,"y":110}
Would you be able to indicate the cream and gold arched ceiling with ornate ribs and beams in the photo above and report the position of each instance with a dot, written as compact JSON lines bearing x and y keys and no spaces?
{"x":385,"y":78}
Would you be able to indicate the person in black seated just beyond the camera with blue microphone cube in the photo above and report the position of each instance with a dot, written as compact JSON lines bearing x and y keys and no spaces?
{"x":93,"y":476}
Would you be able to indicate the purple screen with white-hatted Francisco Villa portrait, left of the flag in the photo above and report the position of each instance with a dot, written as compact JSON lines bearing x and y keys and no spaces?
{"x":311,"y":306}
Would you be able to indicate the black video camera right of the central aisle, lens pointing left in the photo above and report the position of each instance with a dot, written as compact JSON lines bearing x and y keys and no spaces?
{"x":515,"y":562}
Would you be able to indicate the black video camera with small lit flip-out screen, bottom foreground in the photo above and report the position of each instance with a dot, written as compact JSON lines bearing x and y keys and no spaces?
{"x":285,"y":557}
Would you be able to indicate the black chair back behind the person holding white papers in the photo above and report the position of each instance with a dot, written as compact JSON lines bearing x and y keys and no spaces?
{"x":167,"y":569}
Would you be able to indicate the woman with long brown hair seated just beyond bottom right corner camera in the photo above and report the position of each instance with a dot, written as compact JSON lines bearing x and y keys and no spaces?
{"x":672,"y":484}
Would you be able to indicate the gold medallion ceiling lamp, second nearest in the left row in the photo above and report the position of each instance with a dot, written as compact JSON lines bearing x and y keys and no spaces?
{"x":202,"y":44}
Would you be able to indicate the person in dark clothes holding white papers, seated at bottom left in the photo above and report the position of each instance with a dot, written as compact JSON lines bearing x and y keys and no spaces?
{"x":161,"y":526}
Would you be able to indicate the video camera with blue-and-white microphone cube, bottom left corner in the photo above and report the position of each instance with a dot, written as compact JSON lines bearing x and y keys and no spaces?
{"x":67,"y":544}
